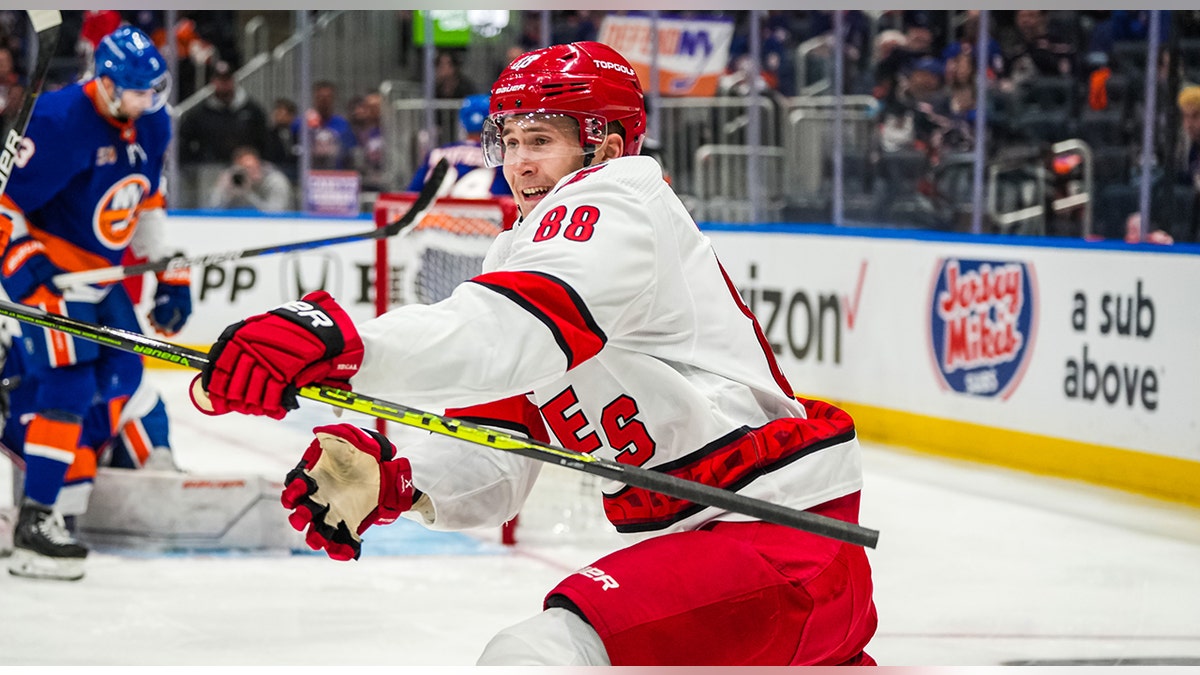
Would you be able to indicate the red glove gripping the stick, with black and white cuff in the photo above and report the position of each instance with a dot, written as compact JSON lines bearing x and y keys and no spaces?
{"x":259,"y":365}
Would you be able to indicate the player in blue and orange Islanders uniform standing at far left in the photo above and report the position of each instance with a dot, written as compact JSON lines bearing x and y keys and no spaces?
{"x":87,"y":187}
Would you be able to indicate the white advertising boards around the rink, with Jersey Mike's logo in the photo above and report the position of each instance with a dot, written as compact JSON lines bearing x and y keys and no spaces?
{"x":1076,"y":360}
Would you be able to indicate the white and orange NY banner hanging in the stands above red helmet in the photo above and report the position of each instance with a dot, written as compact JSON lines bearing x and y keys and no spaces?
{"x":693,"y":53}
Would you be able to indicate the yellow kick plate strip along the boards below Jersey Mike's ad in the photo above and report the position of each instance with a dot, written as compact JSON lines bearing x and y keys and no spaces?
{"x":1163,"y":477}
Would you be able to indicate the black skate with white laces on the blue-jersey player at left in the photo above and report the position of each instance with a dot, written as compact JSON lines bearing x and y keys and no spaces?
{"x":44,"y":548}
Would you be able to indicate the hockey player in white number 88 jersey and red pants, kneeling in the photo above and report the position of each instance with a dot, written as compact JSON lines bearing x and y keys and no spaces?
{"x":604,"y":322}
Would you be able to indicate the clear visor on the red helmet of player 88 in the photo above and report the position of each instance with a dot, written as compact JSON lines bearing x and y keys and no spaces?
{"x":537,"y":136}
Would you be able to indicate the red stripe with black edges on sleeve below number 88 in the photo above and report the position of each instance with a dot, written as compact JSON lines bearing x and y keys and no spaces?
{"x":557,"y":306}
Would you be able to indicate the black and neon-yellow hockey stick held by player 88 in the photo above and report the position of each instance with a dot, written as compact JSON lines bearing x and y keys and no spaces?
{"x":635,"y":476}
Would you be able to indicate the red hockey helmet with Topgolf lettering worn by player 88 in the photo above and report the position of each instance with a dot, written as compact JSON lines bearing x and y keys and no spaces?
{"x":590,"y":82}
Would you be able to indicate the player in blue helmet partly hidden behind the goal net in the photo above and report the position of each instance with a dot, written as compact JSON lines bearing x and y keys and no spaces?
{"x":476,"y":178}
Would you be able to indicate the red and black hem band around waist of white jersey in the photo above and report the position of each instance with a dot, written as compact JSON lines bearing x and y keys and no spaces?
{"x":731,"y":463}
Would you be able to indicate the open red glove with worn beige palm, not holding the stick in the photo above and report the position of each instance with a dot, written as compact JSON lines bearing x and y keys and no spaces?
{"x":349,"y":480}
